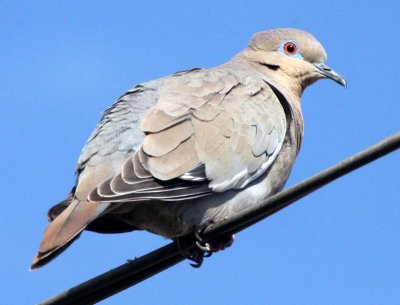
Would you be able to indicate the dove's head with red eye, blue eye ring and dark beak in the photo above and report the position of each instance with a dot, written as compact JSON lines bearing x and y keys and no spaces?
{"x":291,"y":57}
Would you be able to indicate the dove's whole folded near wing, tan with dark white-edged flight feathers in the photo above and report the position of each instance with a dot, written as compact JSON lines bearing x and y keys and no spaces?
{"x":210,"y":131}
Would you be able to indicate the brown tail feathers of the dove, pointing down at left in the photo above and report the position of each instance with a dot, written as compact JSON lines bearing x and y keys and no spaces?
{"x":66,"y":228}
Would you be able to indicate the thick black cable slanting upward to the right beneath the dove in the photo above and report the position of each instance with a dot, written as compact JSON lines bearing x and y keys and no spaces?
{"x":135,"y":271}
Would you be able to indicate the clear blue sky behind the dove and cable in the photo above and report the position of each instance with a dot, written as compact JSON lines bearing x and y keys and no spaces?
{"x":63,"y":62}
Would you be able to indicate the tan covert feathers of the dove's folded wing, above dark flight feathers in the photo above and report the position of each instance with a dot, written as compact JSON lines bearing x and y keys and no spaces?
{"x":234,"y":130}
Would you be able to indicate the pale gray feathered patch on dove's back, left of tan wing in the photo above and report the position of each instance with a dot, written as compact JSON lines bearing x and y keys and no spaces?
{"x":116,"y":137}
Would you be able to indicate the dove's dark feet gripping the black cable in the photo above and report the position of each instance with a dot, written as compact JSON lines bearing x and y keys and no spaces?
{"x":203,"y":249}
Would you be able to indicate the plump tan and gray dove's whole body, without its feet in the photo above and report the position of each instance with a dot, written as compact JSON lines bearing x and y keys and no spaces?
{"x":174,"y":154}
